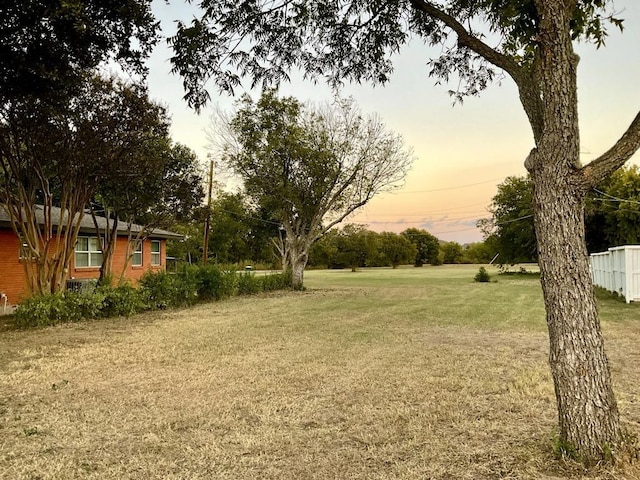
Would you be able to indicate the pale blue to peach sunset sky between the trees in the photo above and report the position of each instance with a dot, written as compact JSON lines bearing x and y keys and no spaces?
{"x":462,"y":152}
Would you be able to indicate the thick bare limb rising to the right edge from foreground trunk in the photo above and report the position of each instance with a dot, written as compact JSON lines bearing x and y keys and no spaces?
{"x":596,"y":171}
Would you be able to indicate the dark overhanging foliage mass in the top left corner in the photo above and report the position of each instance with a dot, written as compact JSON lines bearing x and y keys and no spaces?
{"x":47,"y":46}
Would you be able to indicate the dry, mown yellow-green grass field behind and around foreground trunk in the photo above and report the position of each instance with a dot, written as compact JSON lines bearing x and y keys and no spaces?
{"x":379,"y":374}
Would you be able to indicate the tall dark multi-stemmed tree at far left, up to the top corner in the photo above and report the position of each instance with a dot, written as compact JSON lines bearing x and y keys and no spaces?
{"x":50,"y":50}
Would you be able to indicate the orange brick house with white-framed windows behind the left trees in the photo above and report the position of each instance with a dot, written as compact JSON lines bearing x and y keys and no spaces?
{"x":149,"y":254}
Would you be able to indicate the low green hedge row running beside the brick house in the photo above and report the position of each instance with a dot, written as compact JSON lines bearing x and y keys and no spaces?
{"x":161,"y":290}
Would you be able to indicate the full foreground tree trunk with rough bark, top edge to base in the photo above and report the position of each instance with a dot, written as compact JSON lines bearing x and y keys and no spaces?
{"x":587,"y":411}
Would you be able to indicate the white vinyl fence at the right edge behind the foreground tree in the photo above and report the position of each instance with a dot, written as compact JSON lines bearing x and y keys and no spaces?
{"x":618,"y":270}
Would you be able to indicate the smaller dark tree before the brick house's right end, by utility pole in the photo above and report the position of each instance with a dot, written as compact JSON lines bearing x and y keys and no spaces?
{"x":153,"y":182}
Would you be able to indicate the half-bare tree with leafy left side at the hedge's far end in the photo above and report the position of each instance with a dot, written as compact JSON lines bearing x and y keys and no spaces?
{"x":313,"y":167}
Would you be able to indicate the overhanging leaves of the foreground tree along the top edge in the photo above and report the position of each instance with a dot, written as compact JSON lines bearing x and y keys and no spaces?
{"x":355,"y":40}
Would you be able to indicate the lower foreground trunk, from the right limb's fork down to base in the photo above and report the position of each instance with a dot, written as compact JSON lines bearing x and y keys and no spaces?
{"x":587,"y":411}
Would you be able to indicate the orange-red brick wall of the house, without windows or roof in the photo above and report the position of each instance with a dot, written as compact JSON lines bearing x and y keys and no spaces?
{"x":13,"y":281}
